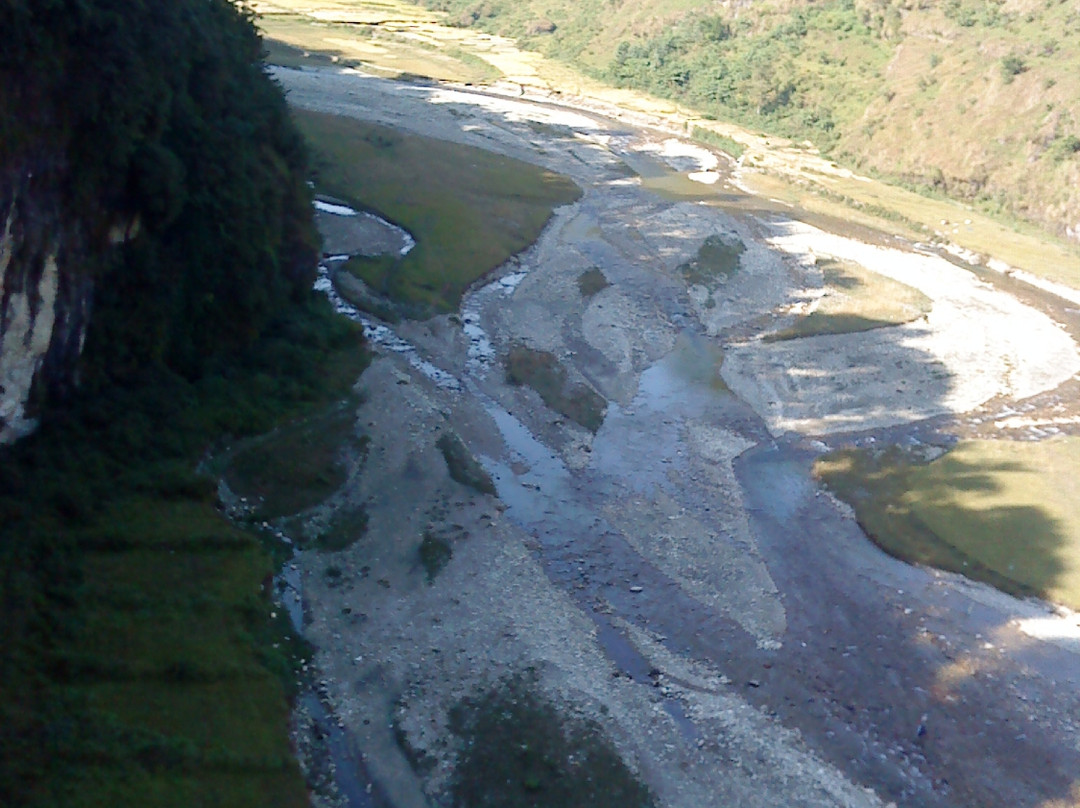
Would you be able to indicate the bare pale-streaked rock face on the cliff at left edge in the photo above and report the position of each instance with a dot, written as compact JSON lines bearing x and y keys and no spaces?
{"x":45,"y":303}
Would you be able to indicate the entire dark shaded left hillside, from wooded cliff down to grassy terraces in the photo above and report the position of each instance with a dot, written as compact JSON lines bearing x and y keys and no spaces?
{"x":157,"y":255}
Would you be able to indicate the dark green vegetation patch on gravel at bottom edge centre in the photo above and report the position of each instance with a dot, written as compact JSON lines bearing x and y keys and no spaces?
{"x":520,"y":751}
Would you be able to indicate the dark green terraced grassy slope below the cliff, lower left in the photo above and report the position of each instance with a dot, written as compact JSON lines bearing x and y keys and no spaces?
{"x":142,"y":665}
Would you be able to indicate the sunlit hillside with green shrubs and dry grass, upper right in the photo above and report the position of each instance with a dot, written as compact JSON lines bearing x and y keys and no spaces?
{"x":979,"y":101}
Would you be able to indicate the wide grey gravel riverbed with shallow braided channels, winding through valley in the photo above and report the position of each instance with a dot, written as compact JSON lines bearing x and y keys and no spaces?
{"x":677,"y":576}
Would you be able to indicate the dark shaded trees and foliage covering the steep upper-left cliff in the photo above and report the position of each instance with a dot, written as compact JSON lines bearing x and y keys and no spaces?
{"x":159,"y":114}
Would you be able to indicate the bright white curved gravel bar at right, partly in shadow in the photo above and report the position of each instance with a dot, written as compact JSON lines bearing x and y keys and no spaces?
{"x":977,"y":343}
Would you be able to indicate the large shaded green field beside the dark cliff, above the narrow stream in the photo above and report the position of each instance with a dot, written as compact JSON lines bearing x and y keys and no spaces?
{"x":469,"y":210}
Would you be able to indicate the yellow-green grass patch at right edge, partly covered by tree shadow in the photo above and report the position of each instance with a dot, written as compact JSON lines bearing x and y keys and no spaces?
{"x":998,"y":511}
